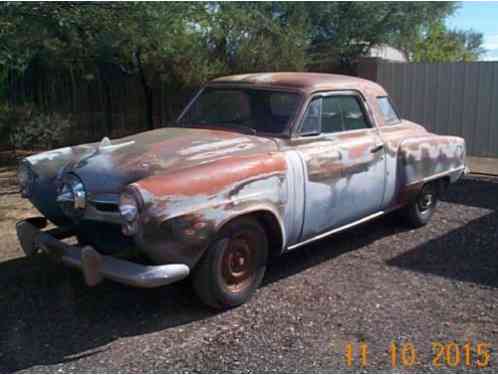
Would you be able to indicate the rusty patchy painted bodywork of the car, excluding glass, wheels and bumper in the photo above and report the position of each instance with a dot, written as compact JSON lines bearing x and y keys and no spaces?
{"x":192,"y":181}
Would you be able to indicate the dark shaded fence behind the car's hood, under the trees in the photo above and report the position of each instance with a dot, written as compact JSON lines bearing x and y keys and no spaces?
{"x":98,"y":106}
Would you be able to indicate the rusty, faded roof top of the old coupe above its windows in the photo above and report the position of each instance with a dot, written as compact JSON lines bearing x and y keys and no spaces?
{"x":306,"y":82}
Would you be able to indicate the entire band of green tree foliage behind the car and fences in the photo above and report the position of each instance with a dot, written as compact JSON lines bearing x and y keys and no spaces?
{"x":183,"y":44}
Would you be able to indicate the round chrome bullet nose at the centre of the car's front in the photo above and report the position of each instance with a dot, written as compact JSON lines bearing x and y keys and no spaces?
{"x":72,"y":196}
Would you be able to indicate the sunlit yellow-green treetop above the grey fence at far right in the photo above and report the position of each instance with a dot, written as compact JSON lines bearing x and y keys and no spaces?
{"x":438,"y":44}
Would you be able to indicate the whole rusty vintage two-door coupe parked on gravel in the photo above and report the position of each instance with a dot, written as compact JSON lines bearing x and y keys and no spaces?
{"x":256,"y":165}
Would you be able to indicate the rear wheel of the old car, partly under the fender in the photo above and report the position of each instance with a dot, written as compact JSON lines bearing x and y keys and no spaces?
{"x":419,"y":212}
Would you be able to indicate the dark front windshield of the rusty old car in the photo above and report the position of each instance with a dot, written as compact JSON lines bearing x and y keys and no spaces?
{"x":252,"y":109}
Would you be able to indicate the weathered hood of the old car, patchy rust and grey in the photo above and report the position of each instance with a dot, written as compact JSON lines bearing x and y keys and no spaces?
{"x":108,"y":166}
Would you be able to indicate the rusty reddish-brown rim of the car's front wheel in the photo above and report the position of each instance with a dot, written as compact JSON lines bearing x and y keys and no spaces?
{"x":238,"y":263}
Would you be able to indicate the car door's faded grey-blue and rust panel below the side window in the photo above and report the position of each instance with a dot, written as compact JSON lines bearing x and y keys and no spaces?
{"x":344,"y":179}
